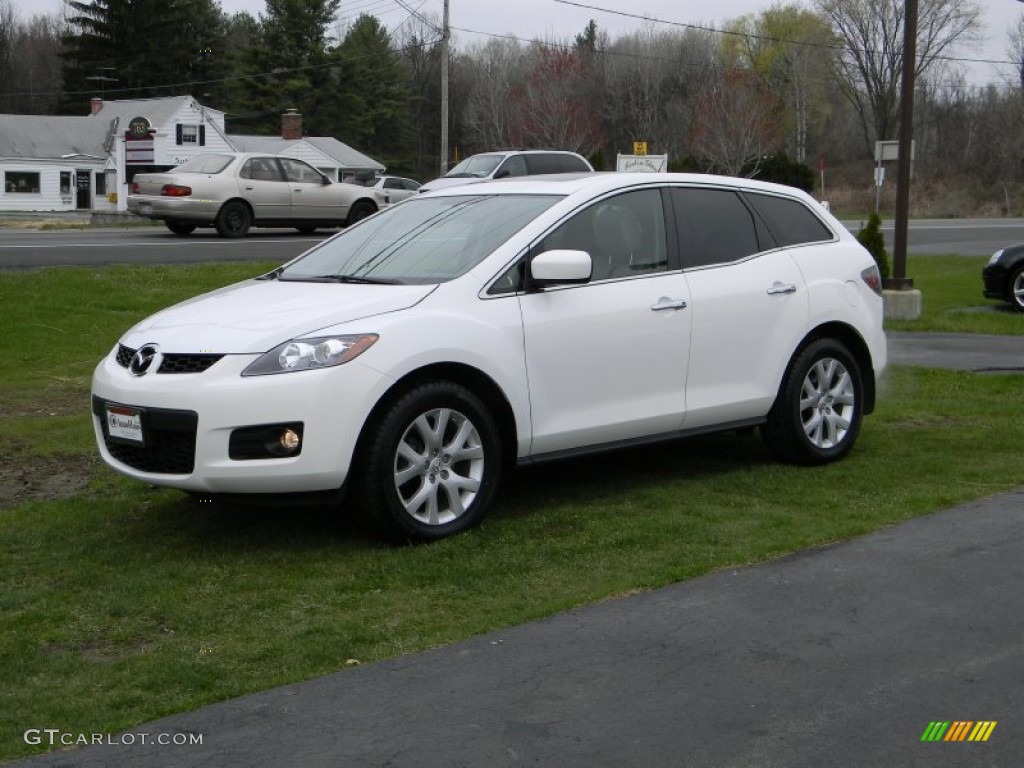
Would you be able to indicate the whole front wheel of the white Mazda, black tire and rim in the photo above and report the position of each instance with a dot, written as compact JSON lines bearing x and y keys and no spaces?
{"x":457,"y":467}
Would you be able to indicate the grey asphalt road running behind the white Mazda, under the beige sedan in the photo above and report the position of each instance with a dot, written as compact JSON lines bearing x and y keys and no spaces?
{"x":21,"y":249}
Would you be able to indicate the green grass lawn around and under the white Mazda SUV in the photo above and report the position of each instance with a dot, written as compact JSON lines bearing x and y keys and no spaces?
{"x":123,"y":604}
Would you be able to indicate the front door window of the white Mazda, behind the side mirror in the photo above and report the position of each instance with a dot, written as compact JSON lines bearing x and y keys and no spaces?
{"x":625,"y":236}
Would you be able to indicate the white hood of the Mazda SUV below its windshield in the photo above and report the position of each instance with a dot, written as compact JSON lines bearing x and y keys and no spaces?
{"x":257,"y":316}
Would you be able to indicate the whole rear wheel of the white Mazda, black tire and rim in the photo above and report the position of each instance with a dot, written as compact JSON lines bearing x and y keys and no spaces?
{"x":818,"y":413}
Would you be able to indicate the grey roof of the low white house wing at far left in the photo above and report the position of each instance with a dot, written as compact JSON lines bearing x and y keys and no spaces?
{"x":47,"y":138}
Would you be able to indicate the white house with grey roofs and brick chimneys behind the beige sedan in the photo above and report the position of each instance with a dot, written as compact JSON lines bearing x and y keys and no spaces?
{"x":60,"y":163}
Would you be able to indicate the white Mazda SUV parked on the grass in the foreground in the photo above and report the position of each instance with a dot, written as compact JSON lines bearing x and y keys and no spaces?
{"x":413,"y":357}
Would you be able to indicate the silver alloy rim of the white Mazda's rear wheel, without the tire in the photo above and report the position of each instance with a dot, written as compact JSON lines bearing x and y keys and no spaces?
{"x":828,"y":401}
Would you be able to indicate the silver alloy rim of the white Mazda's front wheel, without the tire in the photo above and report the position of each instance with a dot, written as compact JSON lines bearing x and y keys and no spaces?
{"x":439,"y":466}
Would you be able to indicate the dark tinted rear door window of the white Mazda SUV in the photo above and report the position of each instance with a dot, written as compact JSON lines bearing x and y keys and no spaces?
{"x":714,"y":227}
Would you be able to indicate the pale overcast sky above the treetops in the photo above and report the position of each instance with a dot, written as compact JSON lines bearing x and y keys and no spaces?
{"x":474,"y":20}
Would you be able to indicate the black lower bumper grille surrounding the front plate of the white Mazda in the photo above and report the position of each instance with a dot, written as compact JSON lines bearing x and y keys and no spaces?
{"x":170,"y":441}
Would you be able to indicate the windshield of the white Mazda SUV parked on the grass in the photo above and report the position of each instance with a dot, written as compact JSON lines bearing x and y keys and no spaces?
{"x":422,"y":241}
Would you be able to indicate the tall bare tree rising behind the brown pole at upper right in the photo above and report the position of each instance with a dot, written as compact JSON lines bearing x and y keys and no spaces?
{"x":870,"y":63}
